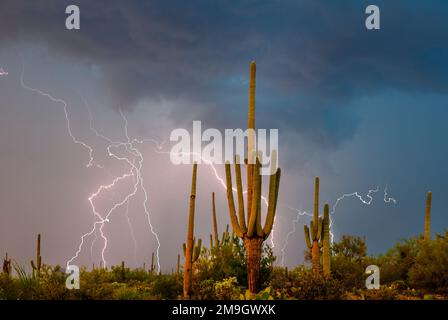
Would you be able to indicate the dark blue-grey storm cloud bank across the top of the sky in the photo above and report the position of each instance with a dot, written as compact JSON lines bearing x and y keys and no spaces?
{"x":313,"y":56}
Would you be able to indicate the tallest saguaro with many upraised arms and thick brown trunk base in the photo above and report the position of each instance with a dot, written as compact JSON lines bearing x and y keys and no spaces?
{"x":250,"y":229}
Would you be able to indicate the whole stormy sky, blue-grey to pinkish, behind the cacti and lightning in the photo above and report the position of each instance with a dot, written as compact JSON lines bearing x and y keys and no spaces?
{"x":360,"y":109}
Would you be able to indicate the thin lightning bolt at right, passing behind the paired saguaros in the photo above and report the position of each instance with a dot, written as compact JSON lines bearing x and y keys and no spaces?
{"x":300,"y":213}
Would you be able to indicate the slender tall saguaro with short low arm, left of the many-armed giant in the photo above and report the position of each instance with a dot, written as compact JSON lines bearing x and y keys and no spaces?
{"x":191,"y":251}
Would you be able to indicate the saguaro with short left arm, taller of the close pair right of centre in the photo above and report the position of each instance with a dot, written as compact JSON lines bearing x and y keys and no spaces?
{"x":314,"y":242}
